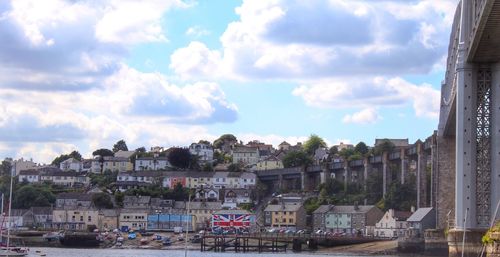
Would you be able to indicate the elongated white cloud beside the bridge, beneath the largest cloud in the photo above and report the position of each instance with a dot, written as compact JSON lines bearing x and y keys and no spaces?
{"x":370,"y":93}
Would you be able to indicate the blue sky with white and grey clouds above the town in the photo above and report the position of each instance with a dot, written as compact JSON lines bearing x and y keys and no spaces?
{"x":83,"y":74}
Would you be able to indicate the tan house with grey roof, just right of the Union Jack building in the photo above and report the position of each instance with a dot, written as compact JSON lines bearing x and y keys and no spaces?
{"x":291,"y":216}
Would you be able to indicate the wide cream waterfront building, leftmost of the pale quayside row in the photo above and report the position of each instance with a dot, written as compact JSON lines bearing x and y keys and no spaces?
{"x":78,"y":218}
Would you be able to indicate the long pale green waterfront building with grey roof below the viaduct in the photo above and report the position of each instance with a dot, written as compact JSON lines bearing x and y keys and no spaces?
{"x":349,"y":219}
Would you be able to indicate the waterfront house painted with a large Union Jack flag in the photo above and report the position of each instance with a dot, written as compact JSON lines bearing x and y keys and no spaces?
{"x":239,"y":219}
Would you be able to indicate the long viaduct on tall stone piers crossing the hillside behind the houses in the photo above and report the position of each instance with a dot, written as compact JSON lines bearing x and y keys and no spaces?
{"x":394,"y":166}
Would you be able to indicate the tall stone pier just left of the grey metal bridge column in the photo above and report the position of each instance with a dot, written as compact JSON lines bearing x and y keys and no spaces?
{"x":445,"y":199}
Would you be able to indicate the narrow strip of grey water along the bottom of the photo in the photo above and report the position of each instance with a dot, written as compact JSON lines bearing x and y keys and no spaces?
{"x":70,"y":252}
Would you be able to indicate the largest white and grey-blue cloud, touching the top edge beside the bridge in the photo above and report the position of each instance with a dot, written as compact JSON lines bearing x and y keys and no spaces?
{"x":287,"y":39}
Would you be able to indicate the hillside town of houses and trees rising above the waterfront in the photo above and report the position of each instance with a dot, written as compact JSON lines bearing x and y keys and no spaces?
{"x":223,"y":187}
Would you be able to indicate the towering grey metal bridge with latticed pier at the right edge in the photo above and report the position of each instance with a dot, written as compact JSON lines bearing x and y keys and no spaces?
{"x":468,"y":138}
